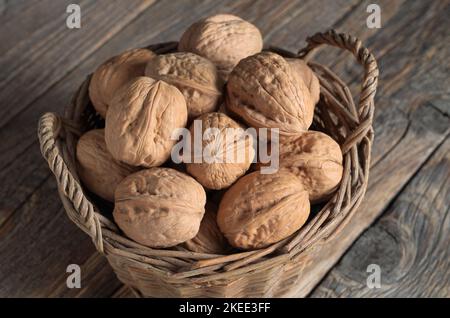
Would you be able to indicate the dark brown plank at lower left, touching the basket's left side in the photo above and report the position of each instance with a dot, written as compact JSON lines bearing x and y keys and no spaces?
{"x":21,"y":269}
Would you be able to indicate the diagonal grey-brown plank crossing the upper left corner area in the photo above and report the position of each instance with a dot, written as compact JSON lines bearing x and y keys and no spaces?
{"x":34,"y":65}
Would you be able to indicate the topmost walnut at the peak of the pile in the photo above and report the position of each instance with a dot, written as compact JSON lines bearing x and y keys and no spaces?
{"x":224,"y":39}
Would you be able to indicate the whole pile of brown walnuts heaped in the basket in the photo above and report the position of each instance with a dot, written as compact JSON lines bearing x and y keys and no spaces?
{"x":220,"y":76}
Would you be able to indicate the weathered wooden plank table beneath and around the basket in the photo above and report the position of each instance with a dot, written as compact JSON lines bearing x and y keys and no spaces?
{"x":403,"y":224}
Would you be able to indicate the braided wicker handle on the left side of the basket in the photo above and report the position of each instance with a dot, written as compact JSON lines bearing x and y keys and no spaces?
{"x":83,"y":213}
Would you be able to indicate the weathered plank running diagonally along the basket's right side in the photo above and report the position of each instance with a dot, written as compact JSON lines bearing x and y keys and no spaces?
{"x":408,"y":125}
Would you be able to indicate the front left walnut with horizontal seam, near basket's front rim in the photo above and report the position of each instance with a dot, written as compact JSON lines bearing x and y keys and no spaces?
{"x":159,"y":207}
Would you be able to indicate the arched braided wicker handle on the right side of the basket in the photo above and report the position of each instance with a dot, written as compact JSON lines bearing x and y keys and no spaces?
{"x":370,"y":80}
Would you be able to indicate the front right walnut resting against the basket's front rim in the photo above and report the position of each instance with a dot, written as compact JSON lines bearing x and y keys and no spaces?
{"x":261,"y":209}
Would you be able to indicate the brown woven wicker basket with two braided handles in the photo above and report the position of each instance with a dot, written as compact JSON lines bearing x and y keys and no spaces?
{"x":275,"y":271}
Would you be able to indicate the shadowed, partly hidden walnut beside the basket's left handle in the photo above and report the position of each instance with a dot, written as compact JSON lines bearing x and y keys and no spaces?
{"x":96,"y":167}
